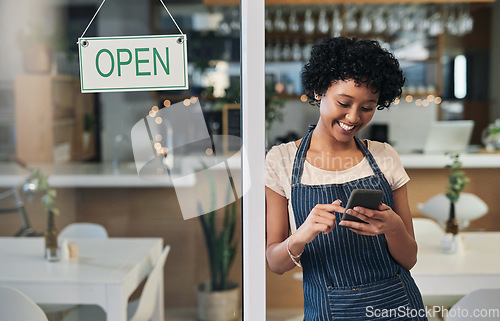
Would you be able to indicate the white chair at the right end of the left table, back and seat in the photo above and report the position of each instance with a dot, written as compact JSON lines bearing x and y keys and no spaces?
{"x":138,"y":310}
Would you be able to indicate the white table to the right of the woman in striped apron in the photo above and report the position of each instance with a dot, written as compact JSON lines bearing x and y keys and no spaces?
{"x":476,"y":267}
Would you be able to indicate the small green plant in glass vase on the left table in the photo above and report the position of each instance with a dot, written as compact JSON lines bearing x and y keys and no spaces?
{"x":48,"y":199}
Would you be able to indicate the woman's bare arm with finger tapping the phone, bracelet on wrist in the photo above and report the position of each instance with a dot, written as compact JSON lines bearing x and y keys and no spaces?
{"x":320,"y":219}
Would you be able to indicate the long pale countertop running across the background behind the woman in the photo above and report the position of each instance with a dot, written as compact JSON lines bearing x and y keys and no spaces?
{"x":104,"y":175}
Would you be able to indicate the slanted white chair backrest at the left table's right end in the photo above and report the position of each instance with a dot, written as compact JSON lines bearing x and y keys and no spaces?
{"x":147,"y":302}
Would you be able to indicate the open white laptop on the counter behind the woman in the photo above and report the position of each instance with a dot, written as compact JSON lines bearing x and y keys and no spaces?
{"x":448,"y":136}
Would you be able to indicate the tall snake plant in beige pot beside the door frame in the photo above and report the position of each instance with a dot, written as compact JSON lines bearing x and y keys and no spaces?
{"x":218,"y":298}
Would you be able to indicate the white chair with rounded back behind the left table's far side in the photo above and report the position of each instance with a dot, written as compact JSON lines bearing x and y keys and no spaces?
{"x":74,"y":231}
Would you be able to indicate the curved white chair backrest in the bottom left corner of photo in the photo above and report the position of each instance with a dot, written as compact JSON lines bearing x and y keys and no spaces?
{"x":16,"y":306}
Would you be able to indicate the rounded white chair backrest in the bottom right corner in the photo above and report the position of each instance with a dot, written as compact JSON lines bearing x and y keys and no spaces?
{"x":483,"y":304}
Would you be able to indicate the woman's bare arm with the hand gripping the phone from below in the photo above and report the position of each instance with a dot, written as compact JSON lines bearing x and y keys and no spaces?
{"x":395,"y":223}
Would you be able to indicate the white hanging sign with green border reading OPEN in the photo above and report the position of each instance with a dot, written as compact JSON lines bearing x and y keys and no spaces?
{"x":110,"y":64}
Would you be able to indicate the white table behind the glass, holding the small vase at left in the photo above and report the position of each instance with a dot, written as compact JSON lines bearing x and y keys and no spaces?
{"x":106,"y":272}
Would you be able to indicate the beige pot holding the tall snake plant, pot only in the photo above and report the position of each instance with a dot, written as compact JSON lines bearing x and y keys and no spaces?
{"x":218,"y":305}
